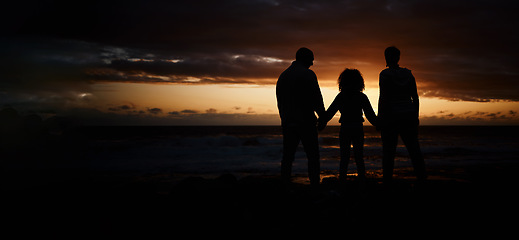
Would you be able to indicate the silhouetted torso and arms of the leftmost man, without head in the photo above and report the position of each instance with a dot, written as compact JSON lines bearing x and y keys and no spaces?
{"x":298,"y":96}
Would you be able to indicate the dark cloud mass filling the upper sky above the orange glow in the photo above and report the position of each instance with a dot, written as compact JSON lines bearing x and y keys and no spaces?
{"x":53,"y":51}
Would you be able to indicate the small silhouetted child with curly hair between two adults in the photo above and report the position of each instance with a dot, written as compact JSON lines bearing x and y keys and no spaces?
{"x":351,"y":102}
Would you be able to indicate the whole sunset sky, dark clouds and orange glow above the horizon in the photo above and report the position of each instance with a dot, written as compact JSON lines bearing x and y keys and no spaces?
{"x":217,"y":62}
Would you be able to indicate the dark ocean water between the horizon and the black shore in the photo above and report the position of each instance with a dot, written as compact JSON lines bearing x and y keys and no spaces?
{"x":178,"y":152}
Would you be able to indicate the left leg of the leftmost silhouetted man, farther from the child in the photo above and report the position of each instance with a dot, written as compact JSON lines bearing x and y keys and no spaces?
{"x":290,"y":141}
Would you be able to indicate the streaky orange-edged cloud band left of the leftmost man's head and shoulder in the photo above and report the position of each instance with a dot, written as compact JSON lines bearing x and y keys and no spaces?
{"x":240,"y":69}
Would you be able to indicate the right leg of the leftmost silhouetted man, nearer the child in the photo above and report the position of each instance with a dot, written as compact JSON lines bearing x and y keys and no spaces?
{"x":311,"y":146}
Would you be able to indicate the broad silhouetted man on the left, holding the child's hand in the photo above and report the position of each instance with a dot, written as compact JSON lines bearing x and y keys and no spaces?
{"x":299,"y":97}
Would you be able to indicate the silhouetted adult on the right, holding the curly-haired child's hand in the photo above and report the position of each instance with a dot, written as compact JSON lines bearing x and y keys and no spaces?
{"x":398,"y":115}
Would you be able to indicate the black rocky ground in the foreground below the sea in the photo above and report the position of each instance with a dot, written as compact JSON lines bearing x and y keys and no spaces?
{"x":74,"y":206}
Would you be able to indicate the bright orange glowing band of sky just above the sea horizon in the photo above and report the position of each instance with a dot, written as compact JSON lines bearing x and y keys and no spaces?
{"x":258,"y":100}
